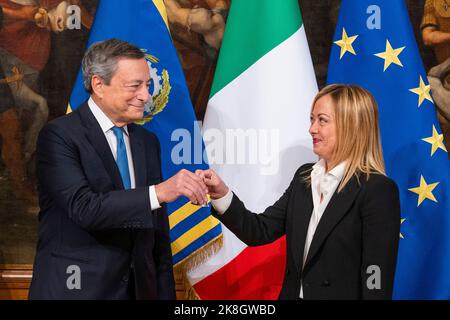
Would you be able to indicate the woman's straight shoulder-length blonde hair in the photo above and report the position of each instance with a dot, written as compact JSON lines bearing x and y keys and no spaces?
{"x":357,"y":129}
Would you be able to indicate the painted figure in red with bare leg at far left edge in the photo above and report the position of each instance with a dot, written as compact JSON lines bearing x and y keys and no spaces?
{"x":25,"y":48}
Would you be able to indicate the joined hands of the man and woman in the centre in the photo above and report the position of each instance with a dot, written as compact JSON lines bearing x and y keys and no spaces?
{"x":195,"y":186}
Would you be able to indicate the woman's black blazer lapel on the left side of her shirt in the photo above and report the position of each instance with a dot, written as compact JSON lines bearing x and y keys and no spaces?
{"x":302,"y":214}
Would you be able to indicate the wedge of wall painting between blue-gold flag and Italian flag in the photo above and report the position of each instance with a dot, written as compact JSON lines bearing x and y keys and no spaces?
{"x":197,"y":28}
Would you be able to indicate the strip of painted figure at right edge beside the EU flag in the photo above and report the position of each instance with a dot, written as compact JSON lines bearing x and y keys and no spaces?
{"x":435,"y":29}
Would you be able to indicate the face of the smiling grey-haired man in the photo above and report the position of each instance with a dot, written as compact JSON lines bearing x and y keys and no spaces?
{"x":124,"y":99}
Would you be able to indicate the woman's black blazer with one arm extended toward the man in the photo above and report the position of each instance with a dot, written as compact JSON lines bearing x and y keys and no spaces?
{"x":359,"y":228}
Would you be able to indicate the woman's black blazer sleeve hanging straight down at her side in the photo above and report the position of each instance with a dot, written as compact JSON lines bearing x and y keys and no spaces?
{"x":380,"y":235}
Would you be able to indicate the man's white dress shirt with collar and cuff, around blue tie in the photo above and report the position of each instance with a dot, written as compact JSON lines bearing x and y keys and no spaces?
{"x":107,"y":125}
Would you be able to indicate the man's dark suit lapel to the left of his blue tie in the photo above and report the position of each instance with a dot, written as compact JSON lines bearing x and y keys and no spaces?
{"x":97,"y":138}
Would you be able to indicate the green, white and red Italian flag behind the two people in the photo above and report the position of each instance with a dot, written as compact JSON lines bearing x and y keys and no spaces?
{"x":258,"y":116}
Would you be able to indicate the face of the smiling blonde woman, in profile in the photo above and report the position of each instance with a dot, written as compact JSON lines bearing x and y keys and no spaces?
{"x":323,"y":128}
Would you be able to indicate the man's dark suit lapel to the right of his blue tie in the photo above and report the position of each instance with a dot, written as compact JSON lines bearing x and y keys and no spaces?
{"x":137,"y":145}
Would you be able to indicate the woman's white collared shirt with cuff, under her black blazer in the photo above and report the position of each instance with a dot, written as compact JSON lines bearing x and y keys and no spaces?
{"x":323,"y":185}
